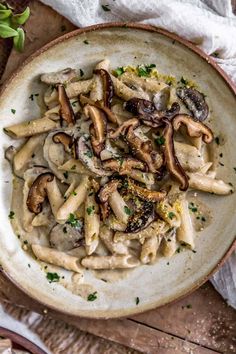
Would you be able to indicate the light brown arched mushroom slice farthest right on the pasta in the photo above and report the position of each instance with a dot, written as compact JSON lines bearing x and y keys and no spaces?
{"x":194,"y":129}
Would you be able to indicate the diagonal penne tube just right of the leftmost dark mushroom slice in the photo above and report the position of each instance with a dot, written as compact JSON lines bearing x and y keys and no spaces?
{"x":74,"y":200}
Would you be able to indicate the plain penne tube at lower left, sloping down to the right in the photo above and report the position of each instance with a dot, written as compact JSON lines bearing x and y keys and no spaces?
{"x":57,"y":258}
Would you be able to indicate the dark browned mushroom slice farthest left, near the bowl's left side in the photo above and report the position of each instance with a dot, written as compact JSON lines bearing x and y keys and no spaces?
{"x":38,"y":192}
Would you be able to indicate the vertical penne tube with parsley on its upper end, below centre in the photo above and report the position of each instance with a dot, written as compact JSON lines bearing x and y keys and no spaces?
{"x":91,"y":223}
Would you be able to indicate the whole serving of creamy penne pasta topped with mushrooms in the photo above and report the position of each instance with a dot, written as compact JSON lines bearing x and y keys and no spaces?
{"x":107,"y":171}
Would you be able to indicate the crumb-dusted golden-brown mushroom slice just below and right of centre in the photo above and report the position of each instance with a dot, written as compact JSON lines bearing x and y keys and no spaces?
{"x":144,"y":193}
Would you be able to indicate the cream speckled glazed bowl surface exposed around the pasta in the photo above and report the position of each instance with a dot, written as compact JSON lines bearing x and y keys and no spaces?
{"x":157,"y":284}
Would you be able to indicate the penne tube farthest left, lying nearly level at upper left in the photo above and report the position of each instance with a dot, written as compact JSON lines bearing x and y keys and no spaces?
{"x":32,"y":127}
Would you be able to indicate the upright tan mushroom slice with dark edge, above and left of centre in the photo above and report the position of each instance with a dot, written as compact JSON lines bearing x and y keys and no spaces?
{"x":98,"y":130}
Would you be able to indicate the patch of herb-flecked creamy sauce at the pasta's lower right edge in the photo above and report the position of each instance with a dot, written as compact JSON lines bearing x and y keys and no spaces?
{"x":199,"y":211}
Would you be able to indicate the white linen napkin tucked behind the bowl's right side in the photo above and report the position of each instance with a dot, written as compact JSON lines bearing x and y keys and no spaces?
{"x":210,"y":24}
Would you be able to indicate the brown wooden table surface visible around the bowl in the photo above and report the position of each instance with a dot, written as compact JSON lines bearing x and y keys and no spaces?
{"x":202,"y":323}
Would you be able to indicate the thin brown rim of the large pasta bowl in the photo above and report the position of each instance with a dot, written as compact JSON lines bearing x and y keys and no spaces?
{"x":129,"y":25}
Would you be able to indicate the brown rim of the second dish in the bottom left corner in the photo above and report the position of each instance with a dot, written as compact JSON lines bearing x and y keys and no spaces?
{"x":20,"y":340}
